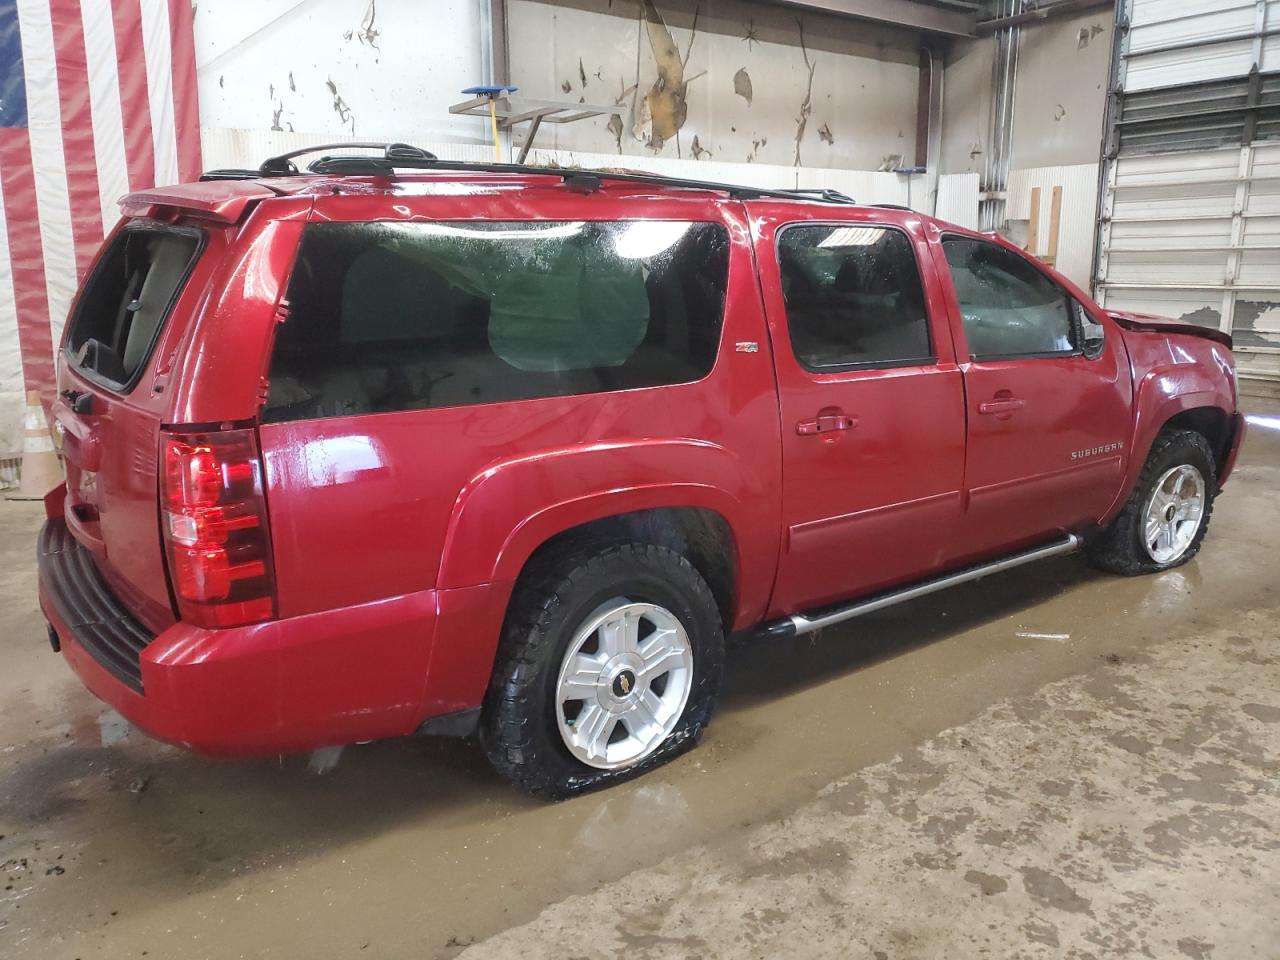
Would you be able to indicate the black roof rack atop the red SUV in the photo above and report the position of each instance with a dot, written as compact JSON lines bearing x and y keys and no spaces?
{"x":406,"y":157}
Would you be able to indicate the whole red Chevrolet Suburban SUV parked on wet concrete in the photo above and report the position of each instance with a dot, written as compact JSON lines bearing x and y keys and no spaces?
{"x":397,"y":445}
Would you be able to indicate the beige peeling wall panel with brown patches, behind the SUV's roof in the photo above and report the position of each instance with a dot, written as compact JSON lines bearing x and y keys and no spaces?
{"x":746,"y":74}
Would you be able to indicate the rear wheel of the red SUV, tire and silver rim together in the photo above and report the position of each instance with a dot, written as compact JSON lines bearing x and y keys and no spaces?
{"x":610,"y":665}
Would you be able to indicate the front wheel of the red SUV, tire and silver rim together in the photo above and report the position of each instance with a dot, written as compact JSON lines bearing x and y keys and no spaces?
{"x":1164,"y":523}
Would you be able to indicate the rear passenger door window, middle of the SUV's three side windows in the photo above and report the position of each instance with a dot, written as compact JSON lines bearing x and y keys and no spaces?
{"x":853,"y":296}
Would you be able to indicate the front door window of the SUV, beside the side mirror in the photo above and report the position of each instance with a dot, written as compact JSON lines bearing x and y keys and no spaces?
{"x":1011,"y":309}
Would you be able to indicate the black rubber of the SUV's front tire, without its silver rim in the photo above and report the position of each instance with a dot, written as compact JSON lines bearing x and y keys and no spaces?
{"x":1119,"y":548}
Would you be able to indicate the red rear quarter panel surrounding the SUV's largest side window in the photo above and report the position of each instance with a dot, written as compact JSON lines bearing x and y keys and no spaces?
{"x":387,"y":505}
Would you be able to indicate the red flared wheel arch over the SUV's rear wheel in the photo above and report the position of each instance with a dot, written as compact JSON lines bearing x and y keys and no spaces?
{"x":639,"y":491}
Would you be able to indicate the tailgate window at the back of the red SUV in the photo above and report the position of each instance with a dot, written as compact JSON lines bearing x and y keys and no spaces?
{"x":127,"y":300}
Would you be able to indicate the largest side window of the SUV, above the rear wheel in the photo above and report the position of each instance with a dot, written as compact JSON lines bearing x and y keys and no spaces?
{"x":388,"y":317}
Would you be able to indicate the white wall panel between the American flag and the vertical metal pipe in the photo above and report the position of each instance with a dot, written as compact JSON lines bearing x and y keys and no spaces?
{"x":371,"y":68}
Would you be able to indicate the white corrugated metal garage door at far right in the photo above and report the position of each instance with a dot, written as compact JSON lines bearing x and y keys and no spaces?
{"x":1191,"y":195}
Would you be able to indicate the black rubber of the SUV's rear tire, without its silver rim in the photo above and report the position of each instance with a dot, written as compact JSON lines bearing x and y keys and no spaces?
{"x":519,"y":728}
